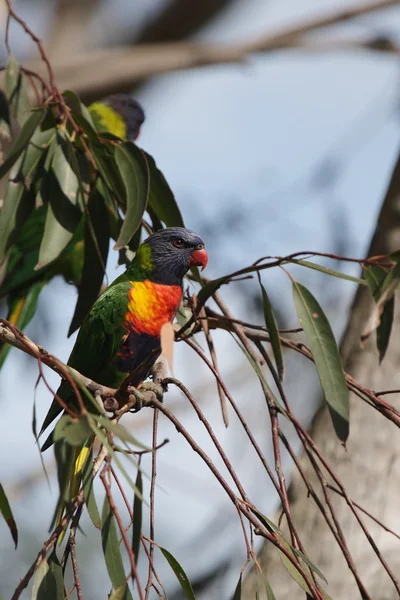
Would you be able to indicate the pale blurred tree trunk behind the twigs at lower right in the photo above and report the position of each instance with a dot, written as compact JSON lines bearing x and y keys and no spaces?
{"x":369,"y":469}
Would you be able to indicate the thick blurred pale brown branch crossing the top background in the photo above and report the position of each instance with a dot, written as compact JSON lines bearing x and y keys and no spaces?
{"x":107,"y":71}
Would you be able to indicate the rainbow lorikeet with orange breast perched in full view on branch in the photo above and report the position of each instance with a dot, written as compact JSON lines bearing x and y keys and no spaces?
{"x":121,"y":334}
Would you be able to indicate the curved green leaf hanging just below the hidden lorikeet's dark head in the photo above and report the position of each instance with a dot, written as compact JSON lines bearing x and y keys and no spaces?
{"x":133,"y":169}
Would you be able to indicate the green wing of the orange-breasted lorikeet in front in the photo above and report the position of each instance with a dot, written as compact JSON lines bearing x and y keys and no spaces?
{"x":97,"y":343}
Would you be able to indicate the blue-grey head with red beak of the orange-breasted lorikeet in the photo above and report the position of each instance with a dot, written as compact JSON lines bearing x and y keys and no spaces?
{"x":169,"y":253}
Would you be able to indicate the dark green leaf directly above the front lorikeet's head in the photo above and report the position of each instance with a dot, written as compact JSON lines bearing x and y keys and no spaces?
{"x":161,"y":198}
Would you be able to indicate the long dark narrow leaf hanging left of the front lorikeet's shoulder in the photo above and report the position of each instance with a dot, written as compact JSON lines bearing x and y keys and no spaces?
{"x":96,"y":244}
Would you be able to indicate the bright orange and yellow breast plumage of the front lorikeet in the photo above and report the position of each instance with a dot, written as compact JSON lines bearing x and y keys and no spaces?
{"x":150,"y":306}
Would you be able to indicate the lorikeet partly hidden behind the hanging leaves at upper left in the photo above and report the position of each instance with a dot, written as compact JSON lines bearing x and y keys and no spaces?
{"x":120,"y":115}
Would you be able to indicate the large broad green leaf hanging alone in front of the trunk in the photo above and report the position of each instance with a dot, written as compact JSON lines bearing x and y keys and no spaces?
{"x":326,"y":356}
